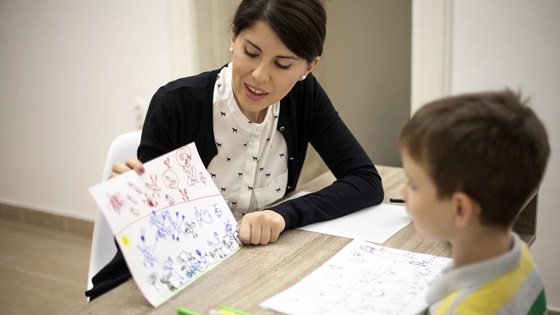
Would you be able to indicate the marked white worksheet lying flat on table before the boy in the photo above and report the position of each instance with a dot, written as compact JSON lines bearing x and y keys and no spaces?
{"x":363,"y":278}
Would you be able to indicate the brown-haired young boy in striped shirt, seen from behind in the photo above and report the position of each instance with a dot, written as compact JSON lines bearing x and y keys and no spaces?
{"x":473,"y":161}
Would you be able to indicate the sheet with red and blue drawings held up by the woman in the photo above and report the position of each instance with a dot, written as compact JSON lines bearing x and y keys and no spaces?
{"x":171,"y":222}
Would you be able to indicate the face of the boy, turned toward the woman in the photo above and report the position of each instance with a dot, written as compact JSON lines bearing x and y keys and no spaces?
{"x":432,"y":217}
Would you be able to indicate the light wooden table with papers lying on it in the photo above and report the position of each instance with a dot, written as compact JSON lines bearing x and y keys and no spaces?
{"x":256,"y":273}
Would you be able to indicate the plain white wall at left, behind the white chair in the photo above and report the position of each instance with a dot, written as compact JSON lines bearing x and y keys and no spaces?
{"x":70,"y":74}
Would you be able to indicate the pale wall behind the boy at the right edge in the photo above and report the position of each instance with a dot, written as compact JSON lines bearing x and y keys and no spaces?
{"x":516,"y":43}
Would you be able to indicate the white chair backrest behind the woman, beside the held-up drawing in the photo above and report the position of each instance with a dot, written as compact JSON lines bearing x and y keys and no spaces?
{"x":103,"y":247}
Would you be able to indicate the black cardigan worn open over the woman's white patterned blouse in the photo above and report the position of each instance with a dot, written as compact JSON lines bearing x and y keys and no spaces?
{"x":181,"y":112}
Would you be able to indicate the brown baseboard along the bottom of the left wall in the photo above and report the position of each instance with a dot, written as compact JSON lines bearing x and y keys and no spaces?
{"x":46,"y":220}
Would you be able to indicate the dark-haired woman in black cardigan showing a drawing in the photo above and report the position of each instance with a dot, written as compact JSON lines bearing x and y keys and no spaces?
{"x":251,"y":122}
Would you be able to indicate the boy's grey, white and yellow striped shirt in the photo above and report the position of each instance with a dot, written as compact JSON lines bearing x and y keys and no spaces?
{"x":508,"y":284}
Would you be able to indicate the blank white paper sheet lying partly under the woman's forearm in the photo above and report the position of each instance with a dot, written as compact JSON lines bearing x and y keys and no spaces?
{"x":376,"y":223}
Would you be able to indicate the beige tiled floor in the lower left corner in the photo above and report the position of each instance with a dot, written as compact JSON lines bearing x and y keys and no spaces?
{"x":42,"y":271}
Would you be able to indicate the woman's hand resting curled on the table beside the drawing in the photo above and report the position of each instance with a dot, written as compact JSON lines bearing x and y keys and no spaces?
{"x":261,"y":227}
